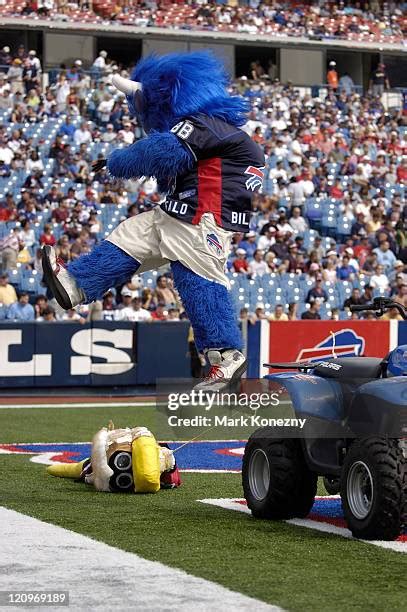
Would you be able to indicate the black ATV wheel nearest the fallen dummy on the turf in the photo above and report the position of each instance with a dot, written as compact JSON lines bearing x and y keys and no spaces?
{"x":277,"y":483}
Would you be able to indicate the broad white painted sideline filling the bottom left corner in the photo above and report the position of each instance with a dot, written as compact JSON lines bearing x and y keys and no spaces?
{"x":38,"y":556}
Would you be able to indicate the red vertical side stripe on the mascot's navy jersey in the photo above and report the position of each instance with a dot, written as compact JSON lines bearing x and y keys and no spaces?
{"x":209,"y":189}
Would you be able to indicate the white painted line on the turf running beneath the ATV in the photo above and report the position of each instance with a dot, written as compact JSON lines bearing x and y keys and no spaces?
{"x":233,"y":504}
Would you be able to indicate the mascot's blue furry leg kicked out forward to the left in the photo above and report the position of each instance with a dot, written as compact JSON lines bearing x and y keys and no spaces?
{"x":104,"y":267}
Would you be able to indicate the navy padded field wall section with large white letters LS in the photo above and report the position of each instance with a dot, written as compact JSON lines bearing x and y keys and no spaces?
{"x":97,"y":354}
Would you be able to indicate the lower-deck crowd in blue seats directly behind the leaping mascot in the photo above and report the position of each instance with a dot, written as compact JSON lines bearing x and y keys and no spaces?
{"x":328,"y":230}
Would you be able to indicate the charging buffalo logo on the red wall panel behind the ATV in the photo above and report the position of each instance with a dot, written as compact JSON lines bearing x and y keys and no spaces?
{"x":344,"y":343}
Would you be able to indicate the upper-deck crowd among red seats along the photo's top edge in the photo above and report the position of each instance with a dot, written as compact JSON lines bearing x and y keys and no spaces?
{"x":371,"y":20}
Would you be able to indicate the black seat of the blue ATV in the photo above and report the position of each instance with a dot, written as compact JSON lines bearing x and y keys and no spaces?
{"x":350,"y":368}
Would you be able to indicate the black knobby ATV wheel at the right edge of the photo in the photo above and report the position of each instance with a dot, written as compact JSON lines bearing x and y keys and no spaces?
{"x":374,"y":489}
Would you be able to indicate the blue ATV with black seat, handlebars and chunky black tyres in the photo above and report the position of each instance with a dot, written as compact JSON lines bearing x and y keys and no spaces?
{"x":356,"y":412}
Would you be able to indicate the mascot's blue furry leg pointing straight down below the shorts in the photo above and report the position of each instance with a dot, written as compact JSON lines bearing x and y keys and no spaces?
{"x":209,"y":308}
